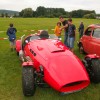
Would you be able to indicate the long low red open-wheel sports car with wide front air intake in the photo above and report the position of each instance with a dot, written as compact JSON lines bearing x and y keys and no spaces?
{"x":48,"y":60}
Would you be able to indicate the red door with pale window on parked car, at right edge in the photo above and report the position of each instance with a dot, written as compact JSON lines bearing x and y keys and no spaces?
{"x":95,"y":42}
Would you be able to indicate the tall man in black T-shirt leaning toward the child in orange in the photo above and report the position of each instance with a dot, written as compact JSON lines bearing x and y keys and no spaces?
{"x":65,"y":28}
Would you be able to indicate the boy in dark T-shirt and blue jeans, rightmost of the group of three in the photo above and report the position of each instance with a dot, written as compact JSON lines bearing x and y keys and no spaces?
{"x":71,"y":34}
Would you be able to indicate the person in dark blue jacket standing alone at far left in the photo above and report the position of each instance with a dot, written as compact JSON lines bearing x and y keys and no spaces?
{"x":11,"y":32}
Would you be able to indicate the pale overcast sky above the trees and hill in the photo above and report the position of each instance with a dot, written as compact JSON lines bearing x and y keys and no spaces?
{"x":68,"y":5}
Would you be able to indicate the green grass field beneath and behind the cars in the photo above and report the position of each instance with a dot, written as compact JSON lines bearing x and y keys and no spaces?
{"x":10,"y":66}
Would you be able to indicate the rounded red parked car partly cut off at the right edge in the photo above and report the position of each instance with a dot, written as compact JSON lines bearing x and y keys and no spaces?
{"x":90,"y":41}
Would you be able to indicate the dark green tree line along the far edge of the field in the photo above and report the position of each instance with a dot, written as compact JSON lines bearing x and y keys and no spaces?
{"x":53,"y":13}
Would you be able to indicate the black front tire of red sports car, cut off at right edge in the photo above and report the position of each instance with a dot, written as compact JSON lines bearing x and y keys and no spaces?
{"x":95,"y":64}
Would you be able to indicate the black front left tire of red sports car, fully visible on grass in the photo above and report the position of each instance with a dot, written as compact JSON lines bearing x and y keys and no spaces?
{"x":28,"y":83}
